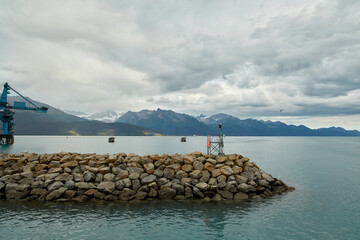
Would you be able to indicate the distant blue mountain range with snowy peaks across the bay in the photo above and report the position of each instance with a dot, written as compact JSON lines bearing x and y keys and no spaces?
{"x":155,"y":122}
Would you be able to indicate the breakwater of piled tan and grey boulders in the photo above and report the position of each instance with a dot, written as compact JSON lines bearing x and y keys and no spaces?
{"x":81,"y":177}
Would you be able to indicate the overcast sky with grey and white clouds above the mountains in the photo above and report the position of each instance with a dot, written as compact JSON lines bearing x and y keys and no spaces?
{"x":296,"y":61}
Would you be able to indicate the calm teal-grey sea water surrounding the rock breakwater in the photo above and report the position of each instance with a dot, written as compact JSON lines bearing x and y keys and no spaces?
{"x":325,"y":205}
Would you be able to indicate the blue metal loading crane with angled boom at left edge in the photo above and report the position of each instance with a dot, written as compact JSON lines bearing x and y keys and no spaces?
{"x":7,"y":113}
